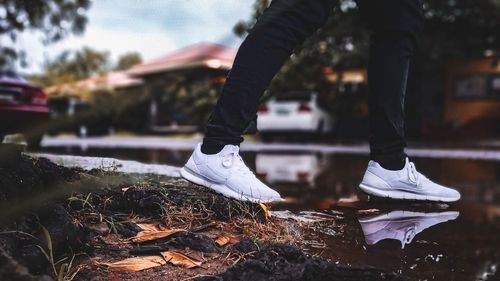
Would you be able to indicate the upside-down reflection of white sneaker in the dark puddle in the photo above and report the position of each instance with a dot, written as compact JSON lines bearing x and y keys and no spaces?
{"x":401,"y":225}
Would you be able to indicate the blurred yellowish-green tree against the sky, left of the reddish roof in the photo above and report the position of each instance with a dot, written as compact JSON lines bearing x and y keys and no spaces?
{"x":73,"y":66}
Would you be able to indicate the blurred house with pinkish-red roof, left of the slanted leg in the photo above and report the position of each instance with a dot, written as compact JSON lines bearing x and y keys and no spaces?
{"x":157,"y":96}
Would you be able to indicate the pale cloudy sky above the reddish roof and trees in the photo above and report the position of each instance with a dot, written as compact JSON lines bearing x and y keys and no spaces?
{"x":151,"y":27}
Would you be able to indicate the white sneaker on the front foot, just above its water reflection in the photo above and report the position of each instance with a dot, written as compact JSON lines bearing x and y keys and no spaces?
{"x":405,"y":184}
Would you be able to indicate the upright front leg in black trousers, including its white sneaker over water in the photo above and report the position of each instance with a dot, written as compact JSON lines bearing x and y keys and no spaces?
{"x":390,"y":174}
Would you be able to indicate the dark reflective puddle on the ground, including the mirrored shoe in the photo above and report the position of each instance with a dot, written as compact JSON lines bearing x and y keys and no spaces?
{"x":425,"y":241}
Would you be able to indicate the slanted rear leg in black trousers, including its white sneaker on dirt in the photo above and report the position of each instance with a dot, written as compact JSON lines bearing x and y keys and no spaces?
{"x":216,"y":163}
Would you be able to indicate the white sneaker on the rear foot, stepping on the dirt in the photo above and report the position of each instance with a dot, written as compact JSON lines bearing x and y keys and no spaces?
{"x":227,"y":174}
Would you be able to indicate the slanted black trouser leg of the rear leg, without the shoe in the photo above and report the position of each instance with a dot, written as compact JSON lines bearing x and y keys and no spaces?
{"x":282,"y":27}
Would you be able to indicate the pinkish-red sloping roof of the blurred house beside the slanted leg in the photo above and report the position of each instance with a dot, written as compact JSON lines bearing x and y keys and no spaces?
{"x":207,"y":55}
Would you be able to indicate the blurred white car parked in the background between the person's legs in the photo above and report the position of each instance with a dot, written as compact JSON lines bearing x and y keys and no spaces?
{"x":294,"y":112}
